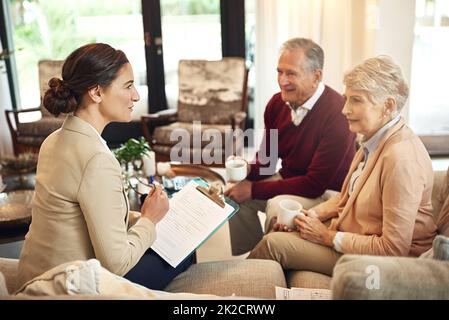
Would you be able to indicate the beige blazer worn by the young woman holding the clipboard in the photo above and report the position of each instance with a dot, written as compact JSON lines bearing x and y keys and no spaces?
{"x":80,"y":210}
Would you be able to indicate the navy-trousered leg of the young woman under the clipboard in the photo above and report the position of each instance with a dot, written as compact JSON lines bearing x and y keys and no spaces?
{"x":154,"y":272}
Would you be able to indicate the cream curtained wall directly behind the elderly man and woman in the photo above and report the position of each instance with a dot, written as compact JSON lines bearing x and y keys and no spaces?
{"x":348,"y":30}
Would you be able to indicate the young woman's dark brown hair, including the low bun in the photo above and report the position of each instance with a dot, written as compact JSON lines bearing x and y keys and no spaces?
{"x":86,"y":67}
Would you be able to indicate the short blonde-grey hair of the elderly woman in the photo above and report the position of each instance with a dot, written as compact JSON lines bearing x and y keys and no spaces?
{"x":380,"y":78}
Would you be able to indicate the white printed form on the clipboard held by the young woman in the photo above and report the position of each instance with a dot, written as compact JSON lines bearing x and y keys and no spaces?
{"x":192,"y":218}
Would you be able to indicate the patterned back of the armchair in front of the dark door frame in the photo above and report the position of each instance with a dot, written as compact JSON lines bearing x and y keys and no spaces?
{"x":211,"y":91}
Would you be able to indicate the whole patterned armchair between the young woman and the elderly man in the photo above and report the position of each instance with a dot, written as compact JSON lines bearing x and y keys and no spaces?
{"x":212,"y":95}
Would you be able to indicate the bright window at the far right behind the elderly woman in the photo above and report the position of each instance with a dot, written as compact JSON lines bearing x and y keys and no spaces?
{"x":429,"y":112}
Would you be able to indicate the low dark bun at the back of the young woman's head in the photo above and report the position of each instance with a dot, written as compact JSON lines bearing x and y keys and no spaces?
{"x":59,"y":98}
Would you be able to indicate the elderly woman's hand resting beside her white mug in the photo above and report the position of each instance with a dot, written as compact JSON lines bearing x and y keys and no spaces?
{"x":312,"y":229}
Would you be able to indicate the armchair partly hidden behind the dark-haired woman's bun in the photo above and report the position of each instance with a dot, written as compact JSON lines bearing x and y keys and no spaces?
{"x":28,"y":136}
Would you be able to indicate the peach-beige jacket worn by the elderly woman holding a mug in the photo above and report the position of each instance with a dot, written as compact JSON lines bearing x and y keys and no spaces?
{"x":390,"y":210}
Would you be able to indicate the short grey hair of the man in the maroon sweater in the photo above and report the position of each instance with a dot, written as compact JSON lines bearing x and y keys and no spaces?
{"x":313,"y":52}
